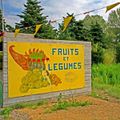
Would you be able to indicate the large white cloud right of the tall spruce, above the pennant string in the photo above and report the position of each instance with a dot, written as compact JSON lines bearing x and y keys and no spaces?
{"x":59,"y":8}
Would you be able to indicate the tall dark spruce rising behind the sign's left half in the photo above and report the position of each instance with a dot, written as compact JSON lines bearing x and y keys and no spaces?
{"x":31,"y":16}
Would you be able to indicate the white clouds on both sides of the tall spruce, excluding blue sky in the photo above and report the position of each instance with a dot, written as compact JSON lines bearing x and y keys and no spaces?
{"x":56,"y":9}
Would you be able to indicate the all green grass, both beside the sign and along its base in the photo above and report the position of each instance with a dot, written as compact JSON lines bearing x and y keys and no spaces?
{"x":104,"y":78}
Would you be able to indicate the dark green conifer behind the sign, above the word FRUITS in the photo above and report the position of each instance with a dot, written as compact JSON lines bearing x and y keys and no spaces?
{"x":75,"y":31}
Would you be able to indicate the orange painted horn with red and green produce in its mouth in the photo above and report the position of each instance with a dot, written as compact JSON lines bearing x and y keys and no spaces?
{"x":33,"y":59}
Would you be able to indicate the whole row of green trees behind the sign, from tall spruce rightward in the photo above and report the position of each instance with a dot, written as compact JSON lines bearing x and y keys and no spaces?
{"x":102,"y":34}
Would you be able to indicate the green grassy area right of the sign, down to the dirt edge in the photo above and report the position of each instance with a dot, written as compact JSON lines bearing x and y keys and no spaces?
{"x":107,"y":79}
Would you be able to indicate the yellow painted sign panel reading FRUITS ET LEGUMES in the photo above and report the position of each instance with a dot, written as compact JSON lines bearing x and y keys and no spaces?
{"x":35,"y":68}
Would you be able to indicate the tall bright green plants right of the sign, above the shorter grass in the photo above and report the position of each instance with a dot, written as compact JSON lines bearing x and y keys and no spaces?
{"x":106,"y":74}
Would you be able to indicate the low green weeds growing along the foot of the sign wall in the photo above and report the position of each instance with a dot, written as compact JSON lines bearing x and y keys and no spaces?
{"x":59,"y":105}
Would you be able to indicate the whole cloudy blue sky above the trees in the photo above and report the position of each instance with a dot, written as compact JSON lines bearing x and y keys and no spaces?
{"x":56,"y":9}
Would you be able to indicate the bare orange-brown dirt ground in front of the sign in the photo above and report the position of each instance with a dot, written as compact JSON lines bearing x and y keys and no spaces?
{"x":99,"y":110}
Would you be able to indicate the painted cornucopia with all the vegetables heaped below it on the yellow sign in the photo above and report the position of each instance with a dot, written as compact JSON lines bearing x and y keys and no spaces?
{"x":37,"y":76}
